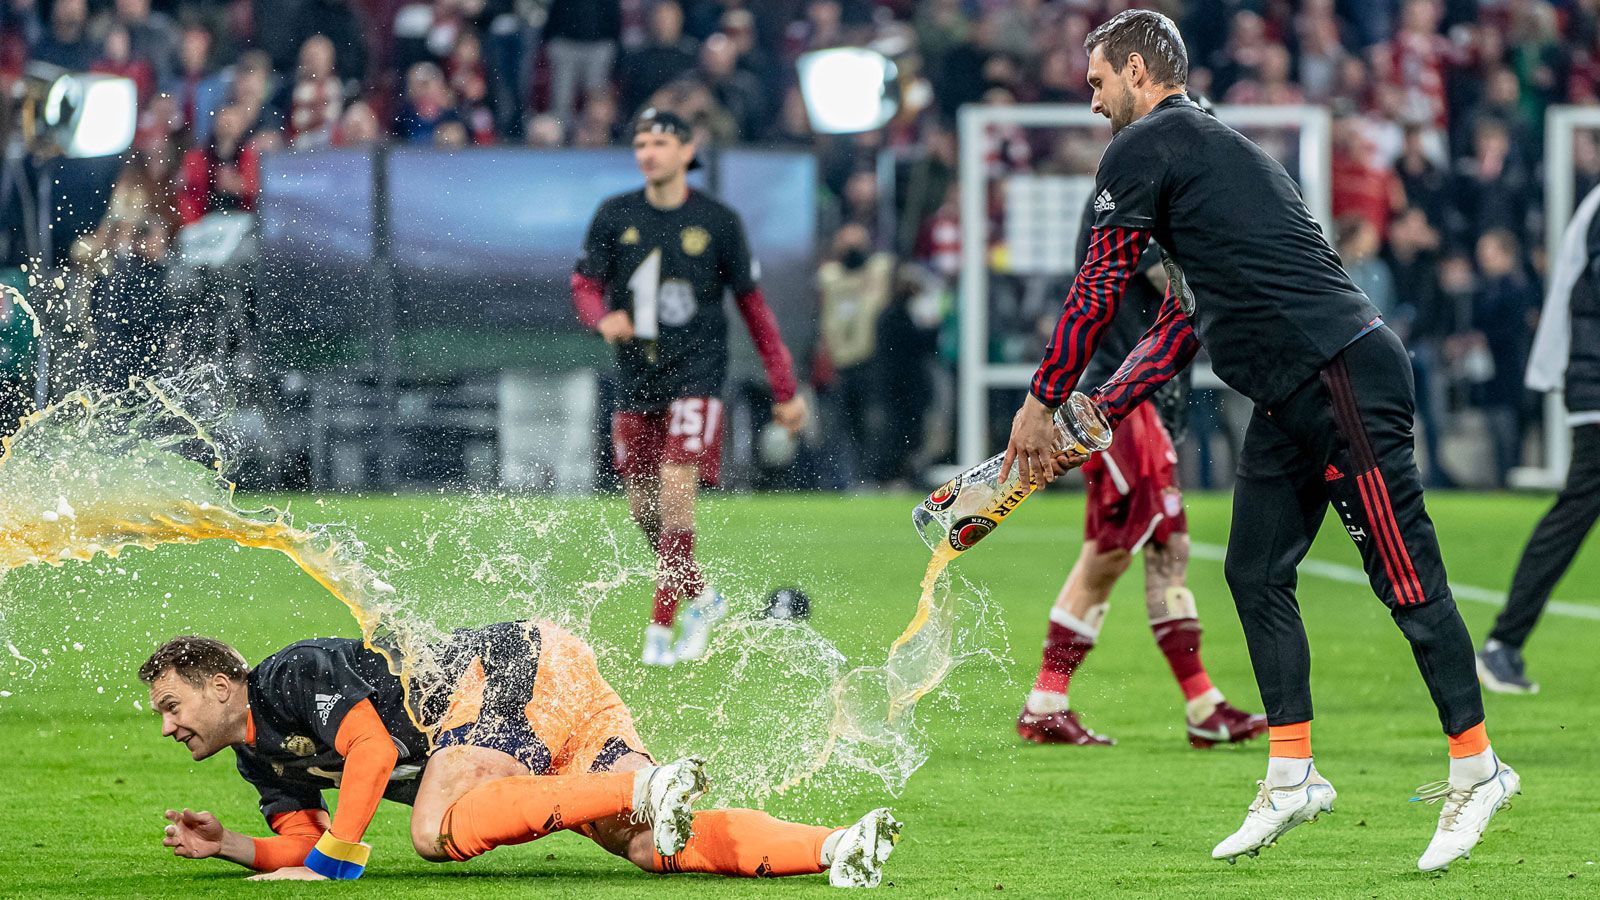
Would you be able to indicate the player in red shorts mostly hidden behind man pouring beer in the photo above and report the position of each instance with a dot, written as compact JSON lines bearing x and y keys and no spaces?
{"x":1134,"y":505}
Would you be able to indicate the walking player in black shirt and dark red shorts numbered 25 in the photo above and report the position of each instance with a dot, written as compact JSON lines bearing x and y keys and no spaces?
{"x":652,"y":279}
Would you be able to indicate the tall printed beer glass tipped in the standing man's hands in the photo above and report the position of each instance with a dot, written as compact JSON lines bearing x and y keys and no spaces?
{"x":967,"y":508}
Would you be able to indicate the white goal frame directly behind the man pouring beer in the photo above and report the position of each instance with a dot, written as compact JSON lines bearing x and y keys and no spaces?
{"x":978,"y":374}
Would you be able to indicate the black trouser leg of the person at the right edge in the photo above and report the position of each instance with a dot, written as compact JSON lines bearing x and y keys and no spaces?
{"x":1554,"y":542}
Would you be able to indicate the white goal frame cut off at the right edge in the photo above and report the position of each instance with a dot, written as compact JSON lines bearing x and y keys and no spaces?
{"x":1561,"y":199}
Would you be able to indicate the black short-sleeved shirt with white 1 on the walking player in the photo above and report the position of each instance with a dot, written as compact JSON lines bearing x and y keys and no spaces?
{"x":678,"y":263}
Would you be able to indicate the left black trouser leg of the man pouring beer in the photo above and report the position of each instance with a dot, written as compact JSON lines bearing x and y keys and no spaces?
{"x":1279,"y":504}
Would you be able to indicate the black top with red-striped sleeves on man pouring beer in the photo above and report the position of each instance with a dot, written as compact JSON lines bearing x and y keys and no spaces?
{"x":1250,"y":270}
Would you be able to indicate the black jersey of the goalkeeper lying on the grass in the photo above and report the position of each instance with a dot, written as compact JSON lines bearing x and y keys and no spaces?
{"x":298,"y":699}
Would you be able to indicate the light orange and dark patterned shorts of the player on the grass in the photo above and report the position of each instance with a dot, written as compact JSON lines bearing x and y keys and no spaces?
{"x":535,"y":694}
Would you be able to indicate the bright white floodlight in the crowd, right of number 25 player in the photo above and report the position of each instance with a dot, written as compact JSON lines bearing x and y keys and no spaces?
{"x":849,"y":90}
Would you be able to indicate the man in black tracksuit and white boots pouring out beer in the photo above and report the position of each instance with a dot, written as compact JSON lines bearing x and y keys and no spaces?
{"x":1255,"y":283}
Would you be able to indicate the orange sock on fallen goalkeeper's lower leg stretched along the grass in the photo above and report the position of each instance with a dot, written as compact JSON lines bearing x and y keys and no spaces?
{"x":751,"y":845}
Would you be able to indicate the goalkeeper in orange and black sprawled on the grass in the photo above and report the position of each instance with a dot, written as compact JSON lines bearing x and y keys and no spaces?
{"x":530,"y":741}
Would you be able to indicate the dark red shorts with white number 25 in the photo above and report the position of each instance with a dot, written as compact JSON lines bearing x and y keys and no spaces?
{"x":689,"y":433}
